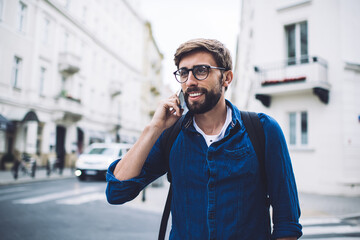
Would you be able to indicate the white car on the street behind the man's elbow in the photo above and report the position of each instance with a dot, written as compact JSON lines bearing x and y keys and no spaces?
{"x":97,"y":157}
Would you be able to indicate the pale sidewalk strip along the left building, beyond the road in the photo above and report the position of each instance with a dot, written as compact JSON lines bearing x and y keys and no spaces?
{"x":6,"y":177}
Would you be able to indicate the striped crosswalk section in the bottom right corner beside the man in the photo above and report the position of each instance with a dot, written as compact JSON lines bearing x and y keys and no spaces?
{"x":330,"y":228}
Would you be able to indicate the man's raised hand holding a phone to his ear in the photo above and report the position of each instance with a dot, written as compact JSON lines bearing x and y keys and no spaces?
{"x":167,"y":113}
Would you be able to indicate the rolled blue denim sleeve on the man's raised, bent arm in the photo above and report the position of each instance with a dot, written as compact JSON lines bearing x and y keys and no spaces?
{"x":119,"y":192}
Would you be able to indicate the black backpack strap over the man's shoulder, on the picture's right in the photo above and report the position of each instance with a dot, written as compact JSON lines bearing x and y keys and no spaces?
{"x":257,"y":137}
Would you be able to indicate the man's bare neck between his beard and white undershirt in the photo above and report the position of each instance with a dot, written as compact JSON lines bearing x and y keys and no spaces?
{"x":212,"y":121}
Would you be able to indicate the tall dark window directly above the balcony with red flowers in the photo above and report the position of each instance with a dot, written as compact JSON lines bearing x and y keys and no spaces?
{"x":297,"y":43}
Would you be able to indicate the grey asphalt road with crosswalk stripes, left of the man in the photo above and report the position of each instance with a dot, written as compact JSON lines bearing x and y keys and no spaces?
{"x":69,"y":209}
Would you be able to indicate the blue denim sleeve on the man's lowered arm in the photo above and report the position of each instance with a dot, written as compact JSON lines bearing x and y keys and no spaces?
{"x":280,"y":182}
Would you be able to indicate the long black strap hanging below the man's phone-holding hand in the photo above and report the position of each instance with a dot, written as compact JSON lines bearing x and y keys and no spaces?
{"x":169,"y":138}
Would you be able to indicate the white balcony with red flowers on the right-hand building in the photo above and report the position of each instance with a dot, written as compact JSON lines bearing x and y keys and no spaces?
{"x":292,"y":76}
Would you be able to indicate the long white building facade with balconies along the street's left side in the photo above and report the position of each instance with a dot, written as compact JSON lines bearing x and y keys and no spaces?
{"x":73,"y":72}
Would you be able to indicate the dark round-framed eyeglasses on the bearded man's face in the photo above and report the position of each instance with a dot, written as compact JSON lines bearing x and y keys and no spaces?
{"x":200,"y":72}
